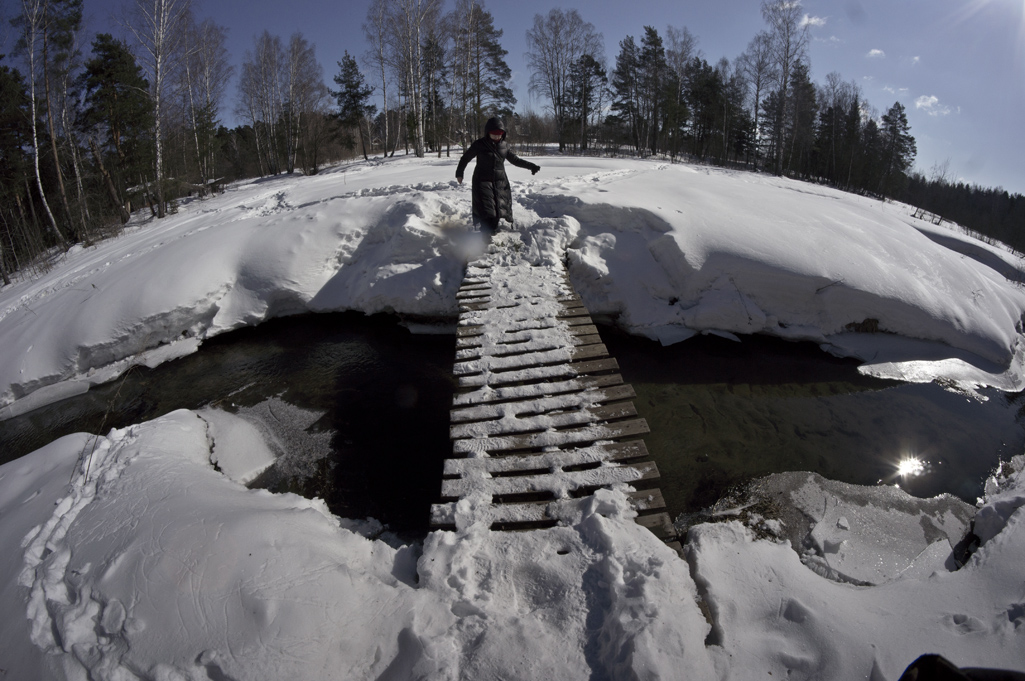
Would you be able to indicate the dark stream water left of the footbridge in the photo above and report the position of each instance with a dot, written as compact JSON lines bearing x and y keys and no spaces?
{"x":385,"y":395}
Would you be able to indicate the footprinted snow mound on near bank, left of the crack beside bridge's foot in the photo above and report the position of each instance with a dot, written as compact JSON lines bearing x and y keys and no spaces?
{"x":152,"y":564}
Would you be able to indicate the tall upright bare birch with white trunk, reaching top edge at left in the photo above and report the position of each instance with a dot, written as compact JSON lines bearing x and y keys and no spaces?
{"x":159,"y":27}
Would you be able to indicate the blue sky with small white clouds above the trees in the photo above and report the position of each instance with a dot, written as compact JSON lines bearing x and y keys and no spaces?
{"x":958,"y":66}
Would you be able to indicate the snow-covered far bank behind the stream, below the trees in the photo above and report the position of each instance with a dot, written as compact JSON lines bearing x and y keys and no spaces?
{"x":668,"y":251}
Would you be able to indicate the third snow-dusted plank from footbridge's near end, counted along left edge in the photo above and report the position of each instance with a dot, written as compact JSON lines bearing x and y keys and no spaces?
{"x":498,"y":466}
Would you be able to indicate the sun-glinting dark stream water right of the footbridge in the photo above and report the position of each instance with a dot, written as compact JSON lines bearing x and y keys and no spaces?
{"x":723,"y":413}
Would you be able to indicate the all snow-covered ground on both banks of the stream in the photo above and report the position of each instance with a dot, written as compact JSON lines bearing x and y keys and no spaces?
{"x":132,"y":556}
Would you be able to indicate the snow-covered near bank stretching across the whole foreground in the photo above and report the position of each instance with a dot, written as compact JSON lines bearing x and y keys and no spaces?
{"x":150,"y":564}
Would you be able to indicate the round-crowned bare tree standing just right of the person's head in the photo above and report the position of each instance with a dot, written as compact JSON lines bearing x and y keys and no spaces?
{"x":554,"y":45}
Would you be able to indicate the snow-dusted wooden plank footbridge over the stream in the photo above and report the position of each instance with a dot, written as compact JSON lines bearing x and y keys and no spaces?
{"x":543,"y":417}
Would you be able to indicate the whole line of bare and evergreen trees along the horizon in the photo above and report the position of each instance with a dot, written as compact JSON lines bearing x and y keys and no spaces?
{"x":86,"y":141}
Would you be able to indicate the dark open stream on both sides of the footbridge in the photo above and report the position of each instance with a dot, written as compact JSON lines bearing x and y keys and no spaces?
{"x":366,"y":403}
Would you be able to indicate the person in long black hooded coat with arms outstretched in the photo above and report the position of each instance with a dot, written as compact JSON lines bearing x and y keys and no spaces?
{"x":491,"y":190}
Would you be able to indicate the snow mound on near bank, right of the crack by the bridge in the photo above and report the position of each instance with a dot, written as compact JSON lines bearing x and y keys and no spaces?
{"x":772,"y":615}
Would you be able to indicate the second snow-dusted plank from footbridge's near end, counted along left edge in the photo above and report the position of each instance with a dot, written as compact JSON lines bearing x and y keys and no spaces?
{"x":560,"y":484}
